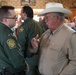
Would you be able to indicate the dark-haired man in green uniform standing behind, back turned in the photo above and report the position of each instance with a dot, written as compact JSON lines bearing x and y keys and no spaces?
{"x":29,"y":29}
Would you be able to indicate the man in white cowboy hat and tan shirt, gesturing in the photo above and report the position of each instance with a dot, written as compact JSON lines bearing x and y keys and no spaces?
{"x":57,"y":45}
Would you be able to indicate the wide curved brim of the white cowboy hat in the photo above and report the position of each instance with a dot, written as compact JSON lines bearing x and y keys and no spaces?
{"x":65,"y":11}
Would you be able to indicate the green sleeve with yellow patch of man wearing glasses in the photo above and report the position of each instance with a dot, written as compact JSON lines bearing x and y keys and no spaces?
{"x":13,"y":53}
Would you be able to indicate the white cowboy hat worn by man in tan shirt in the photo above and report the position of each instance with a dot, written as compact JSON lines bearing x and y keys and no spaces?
{"x":55,"y":7}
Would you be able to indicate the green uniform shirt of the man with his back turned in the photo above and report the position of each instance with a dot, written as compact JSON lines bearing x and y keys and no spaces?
{"x":28,"y":30}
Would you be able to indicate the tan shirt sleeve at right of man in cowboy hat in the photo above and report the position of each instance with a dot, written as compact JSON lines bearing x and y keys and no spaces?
{"x":70,"y":69}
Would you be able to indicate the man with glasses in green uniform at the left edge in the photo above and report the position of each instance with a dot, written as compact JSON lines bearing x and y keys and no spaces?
{"x":11,"y":60}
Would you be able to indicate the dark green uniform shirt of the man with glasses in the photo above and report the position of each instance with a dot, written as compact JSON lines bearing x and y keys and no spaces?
{"x":10,"y":52}
